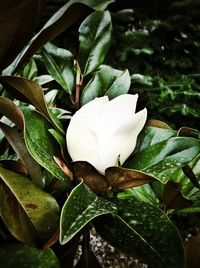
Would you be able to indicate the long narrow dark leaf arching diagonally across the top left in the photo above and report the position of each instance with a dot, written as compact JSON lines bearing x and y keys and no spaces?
{"x":60,"y":21}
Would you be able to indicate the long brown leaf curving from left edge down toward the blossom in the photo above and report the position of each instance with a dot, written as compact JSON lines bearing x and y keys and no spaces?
{"x":32,"y":93}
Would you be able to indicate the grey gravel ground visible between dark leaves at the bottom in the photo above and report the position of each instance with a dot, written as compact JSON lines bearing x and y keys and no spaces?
{"x":108,"y":256}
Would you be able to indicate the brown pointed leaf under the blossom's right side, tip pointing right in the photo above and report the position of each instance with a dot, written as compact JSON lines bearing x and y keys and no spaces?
{"x":122,"y":178}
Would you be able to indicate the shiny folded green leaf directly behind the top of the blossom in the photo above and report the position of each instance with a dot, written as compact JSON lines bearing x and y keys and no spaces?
{"x":106,"y":81}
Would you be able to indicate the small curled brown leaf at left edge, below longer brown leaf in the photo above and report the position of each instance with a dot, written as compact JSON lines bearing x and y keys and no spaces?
{"x":12,"y":112}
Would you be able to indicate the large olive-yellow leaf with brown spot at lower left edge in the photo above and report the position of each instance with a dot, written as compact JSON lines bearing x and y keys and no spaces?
{"x":26,"y":209}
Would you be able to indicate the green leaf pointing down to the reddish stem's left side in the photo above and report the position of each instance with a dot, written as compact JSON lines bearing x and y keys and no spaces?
{"x":60,"y":65}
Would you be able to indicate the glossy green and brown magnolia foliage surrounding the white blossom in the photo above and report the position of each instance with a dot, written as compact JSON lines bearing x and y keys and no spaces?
{"x":48,"y":203}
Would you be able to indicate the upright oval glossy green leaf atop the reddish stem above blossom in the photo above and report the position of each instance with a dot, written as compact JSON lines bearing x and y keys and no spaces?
{"x":94,"y":37}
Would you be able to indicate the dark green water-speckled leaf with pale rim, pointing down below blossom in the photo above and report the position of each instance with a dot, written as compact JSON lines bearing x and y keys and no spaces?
{"x":79,"y":209}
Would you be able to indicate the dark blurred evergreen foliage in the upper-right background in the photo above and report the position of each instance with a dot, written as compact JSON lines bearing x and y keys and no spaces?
{"x":160,"y":47}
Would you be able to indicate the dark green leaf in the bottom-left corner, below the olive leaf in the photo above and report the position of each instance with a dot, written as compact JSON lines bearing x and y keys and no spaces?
{"x":23,"y":256}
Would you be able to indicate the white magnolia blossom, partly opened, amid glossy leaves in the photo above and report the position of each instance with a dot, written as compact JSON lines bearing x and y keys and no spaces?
{"x":103,"y":132}
